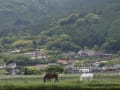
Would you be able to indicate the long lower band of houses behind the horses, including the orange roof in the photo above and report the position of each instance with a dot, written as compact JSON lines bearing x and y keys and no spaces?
{"x":92,"y":66}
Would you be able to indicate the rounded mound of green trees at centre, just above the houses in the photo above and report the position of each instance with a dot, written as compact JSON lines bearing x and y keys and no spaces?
{"x":62,"y":42}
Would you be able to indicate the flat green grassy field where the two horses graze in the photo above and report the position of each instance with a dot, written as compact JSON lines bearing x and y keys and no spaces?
{"x":66,"y":82}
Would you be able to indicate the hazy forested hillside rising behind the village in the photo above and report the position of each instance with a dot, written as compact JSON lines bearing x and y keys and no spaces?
{"x":60,"y":24}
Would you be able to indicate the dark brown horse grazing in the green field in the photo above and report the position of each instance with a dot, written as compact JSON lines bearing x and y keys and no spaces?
{"x":50,"y":76}
